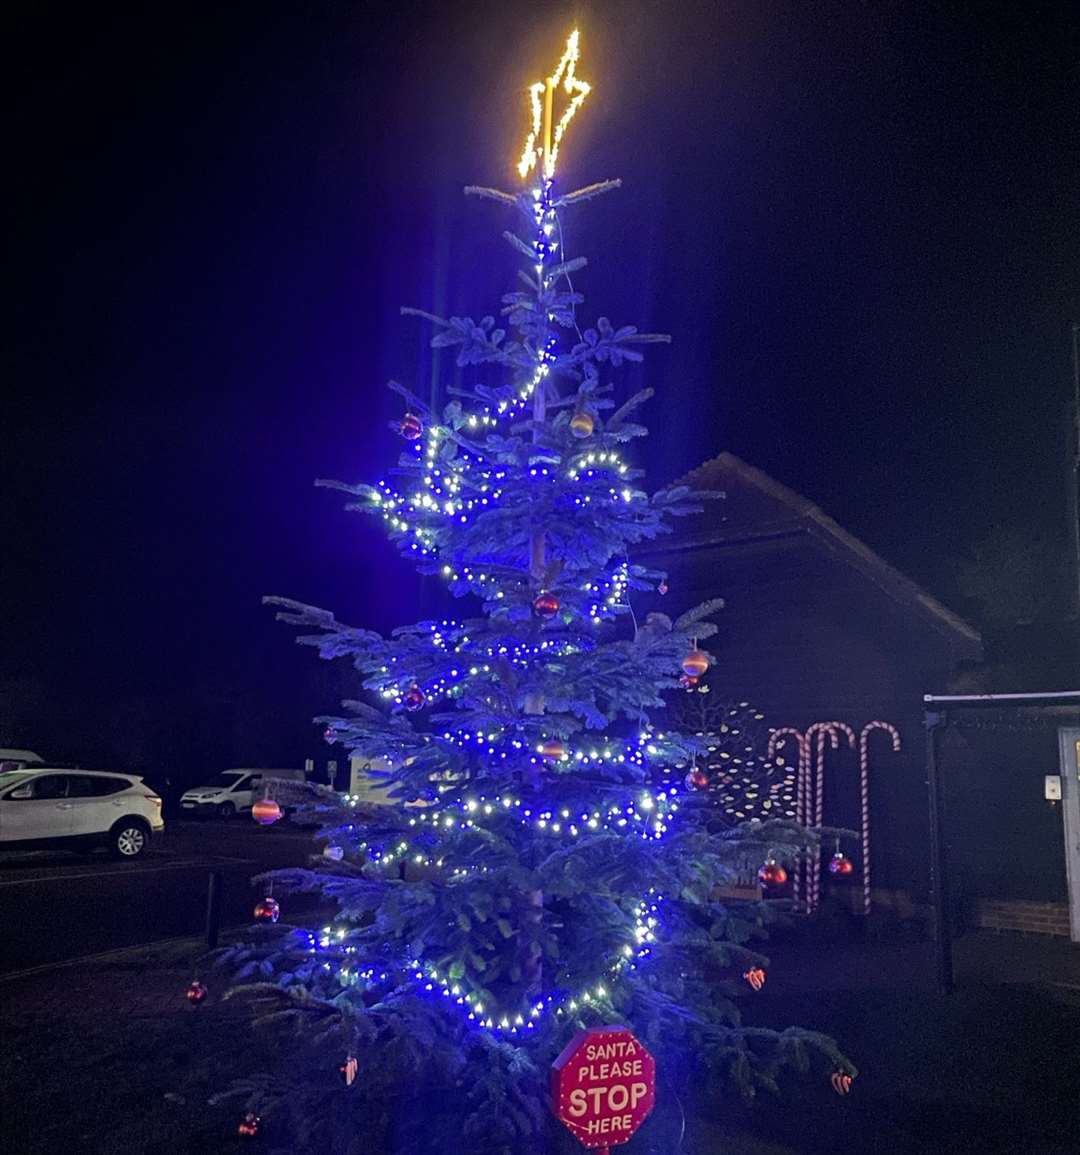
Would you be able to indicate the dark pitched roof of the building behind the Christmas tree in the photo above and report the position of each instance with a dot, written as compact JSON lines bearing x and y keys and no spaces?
{"x":781,"y":512}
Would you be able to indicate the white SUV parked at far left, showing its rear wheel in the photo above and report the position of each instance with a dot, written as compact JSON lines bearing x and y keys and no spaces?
{"x":68,"y":808}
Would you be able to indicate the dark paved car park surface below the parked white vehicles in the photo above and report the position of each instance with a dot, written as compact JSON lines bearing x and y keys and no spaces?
{"x":57,"y":906}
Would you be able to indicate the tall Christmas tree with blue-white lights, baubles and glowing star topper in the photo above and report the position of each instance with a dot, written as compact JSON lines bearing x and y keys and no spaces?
{"x":541,"y":863}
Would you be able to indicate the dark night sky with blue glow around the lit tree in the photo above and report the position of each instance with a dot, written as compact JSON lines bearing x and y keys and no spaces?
{"x":860,"y":223}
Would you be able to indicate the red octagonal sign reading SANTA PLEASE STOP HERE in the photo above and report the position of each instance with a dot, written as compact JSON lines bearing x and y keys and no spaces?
{"x":604,"y":1086}
